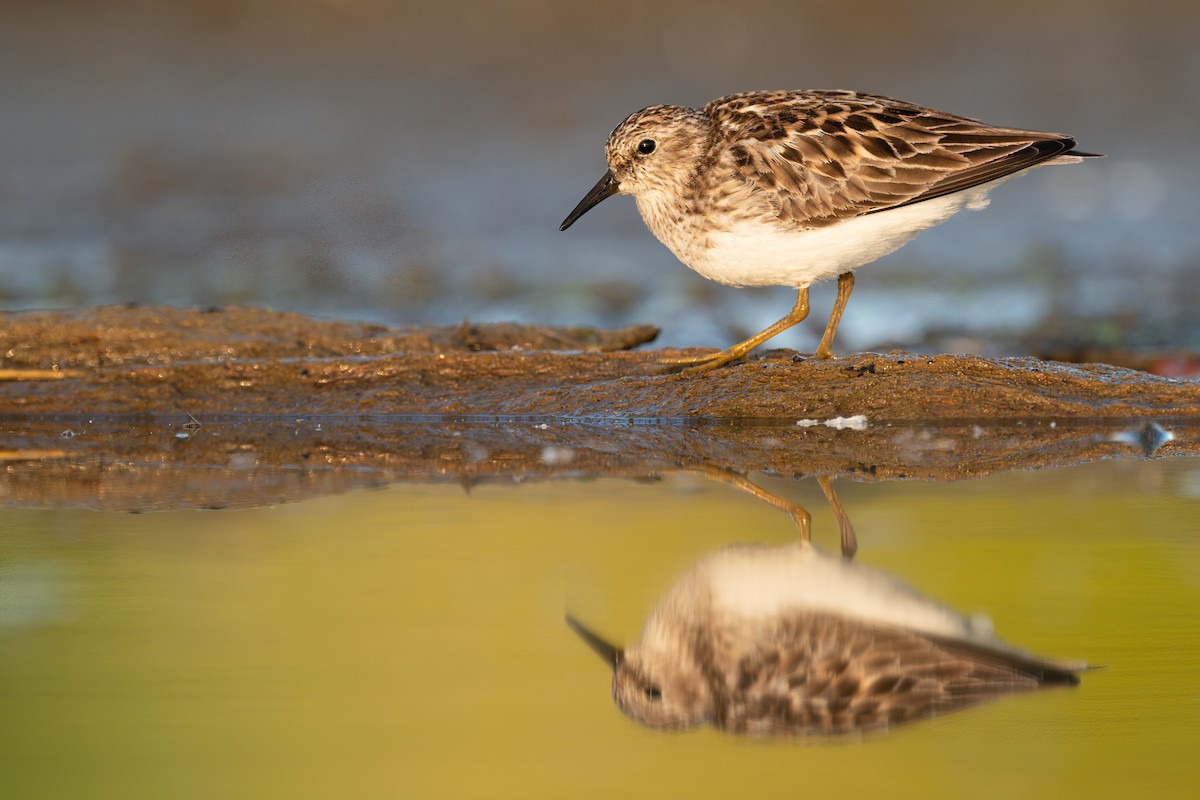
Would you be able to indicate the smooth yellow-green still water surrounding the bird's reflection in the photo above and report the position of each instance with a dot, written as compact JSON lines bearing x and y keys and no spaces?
{"x":410,"y":640}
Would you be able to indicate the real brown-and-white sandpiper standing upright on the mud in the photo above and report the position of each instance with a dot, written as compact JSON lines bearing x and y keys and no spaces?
{"x":791,"y":188}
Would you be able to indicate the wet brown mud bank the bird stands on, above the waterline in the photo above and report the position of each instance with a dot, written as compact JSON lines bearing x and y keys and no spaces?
{"x":251,"y":363}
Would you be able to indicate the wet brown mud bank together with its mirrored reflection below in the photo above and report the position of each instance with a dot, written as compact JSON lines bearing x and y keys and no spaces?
{"x":159,"y":408}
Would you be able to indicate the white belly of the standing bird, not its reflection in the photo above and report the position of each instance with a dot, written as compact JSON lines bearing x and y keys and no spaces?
{"x":755,"y":254}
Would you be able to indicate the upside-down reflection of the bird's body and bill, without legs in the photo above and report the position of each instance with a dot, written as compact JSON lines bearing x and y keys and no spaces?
{"x":790,"y":641}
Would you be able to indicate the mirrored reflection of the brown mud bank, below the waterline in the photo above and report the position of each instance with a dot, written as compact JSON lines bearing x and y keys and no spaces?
{"x":177,"y":464}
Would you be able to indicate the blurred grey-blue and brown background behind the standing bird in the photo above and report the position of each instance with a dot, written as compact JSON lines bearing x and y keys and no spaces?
{"x":410,"y":163}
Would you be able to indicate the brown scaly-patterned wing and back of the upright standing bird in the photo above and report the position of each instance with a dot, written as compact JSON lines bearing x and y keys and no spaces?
{"x":820,"y":158}
